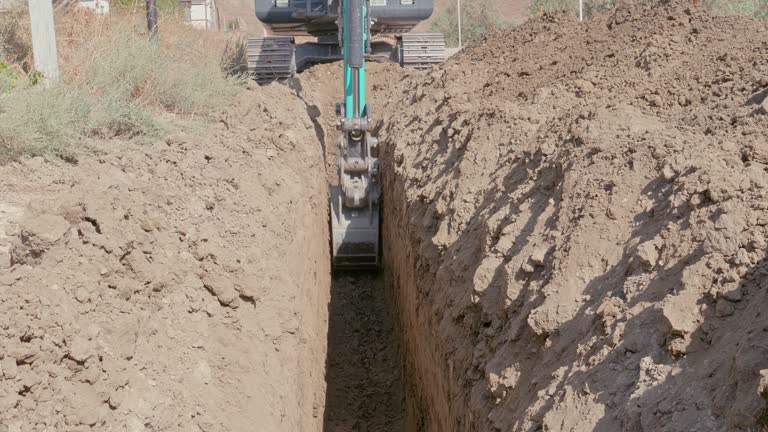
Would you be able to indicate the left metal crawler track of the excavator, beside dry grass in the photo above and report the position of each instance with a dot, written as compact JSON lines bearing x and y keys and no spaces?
{"x":271,"y":58}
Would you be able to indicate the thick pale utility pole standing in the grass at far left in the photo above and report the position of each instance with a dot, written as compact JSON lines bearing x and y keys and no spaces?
{"x":44,"y":39}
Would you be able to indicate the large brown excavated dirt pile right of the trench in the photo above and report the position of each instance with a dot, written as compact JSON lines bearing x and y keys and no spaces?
{"x":575,"y":223}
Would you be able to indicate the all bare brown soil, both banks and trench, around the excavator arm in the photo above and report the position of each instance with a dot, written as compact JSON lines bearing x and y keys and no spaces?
{"x":575,"y":222}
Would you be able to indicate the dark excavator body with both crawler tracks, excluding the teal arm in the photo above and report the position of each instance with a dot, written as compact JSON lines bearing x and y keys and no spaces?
{"x":278,"y":57}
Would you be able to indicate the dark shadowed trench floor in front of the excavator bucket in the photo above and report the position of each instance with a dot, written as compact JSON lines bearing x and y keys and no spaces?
{"x":363,"y":369}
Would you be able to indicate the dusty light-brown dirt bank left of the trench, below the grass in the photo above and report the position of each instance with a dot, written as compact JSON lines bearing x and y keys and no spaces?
{"x":179,"y":286}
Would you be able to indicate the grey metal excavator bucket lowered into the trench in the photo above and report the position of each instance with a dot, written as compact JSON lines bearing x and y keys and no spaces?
{"x":355,"y":235}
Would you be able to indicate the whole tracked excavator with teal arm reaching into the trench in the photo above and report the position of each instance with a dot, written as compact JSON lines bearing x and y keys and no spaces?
{"x":345,"y":30}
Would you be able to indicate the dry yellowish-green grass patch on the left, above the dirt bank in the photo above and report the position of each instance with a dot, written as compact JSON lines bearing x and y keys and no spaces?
{"x":115,"y":84}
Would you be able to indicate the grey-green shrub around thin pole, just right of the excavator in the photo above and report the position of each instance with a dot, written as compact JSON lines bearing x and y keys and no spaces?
{"x":477,"y":18}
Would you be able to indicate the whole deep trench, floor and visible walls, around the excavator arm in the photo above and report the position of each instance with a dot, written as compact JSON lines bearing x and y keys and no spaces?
{"x":368,"y":385}
